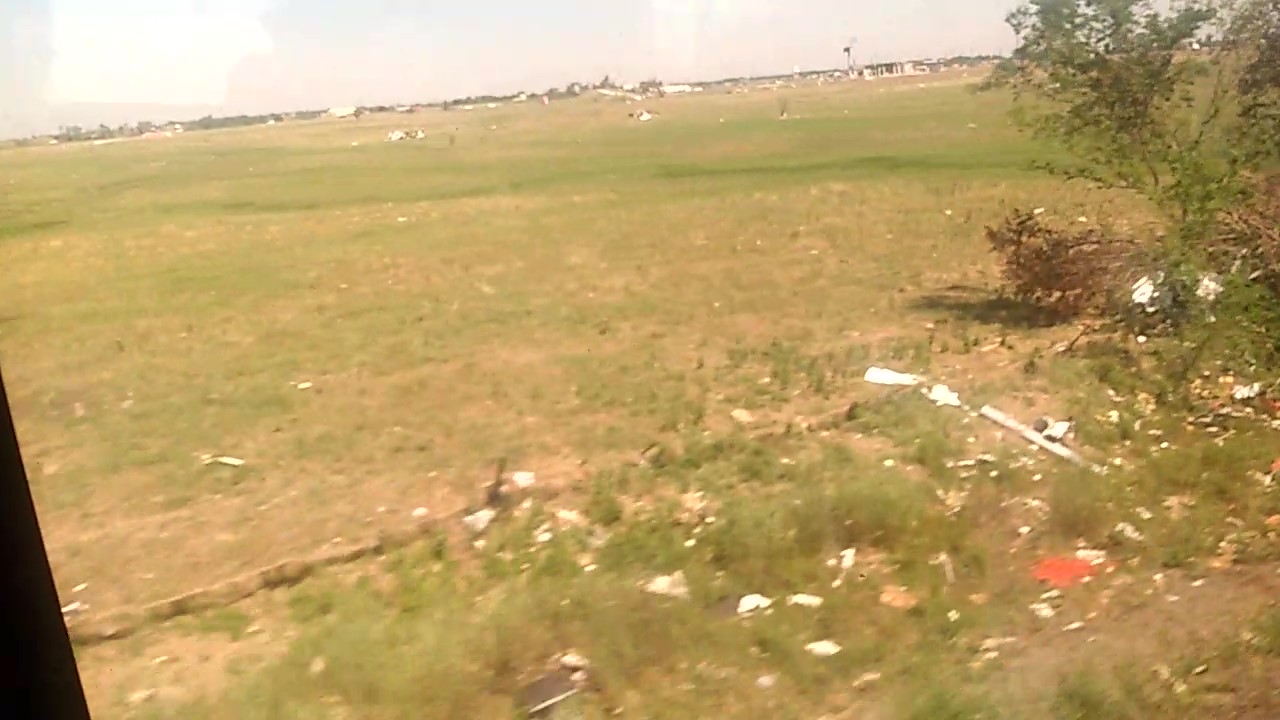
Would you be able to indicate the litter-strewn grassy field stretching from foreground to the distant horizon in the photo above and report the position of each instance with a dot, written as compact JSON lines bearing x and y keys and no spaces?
{"x":371,"y":326}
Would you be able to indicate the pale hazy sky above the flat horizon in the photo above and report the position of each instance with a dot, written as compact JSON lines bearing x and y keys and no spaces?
{"x":260,"y":56}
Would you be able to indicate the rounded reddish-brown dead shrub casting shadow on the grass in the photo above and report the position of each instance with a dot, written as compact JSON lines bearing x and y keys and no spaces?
{"x":1068,"y":272}
